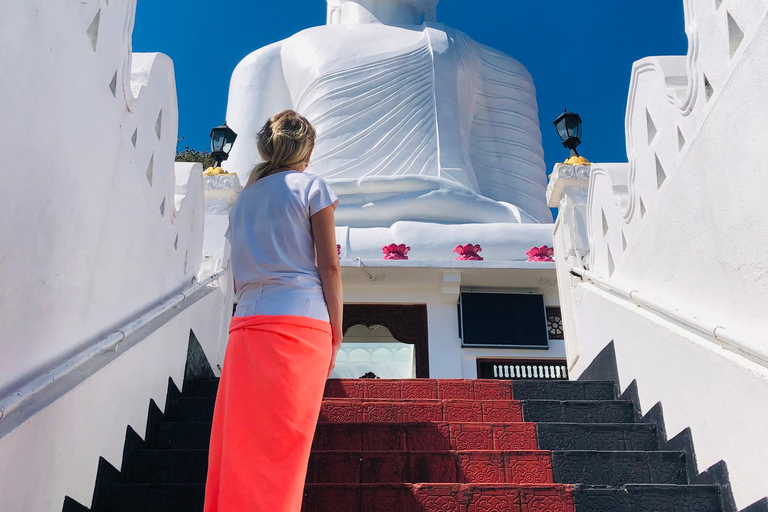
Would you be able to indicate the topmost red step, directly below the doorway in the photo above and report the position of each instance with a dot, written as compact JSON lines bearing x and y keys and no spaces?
{"x":415,"y":389}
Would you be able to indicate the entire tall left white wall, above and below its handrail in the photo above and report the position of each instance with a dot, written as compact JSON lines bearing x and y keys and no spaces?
{"x":99,"y":227}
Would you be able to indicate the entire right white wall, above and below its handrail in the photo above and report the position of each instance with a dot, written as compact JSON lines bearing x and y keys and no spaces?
{"x":682,"y":225}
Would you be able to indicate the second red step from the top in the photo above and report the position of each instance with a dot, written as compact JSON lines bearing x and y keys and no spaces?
{"x":385,"y":411}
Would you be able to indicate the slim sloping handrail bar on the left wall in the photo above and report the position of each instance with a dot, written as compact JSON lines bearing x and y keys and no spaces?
{"x":112,"y":342}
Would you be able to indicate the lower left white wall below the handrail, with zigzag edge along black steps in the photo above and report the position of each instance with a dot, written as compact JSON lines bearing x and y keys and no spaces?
{"x":56,"y":452}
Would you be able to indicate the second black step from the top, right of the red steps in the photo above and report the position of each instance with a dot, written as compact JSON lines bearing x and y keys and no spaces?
{"x":578,"y":411}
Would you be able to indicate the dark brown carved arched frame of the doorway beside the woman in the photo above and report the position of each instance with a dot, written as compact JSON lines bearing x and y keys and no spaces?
{"x":406,"y":323}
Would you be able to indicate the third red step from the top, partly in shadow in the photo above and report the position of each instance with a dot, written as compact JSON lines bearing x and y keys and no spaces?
{"x":425,"y":436}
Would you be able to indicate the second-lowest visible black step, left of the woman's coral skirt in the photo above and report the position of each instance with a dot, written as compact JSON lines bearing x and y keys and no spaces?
{"x":168,"y":467}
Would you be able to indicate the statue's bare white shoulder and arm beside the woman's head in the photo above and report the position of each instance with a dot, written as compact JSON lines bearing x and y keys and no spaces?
{"x":257,"y":91}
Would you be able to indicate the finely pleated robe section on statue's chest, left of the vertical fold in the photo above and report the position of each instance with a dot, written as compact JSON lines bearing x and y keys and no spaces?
{"x":376,"y":119}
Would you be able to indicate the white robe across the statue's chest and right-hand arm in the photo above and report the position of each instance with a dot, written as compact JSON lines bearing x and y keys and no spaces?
{"x":438,"y":105}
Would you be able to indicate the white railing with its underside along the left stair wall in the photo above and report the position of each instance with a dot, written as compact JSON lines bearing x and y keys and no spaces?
{"x":16,"y":407}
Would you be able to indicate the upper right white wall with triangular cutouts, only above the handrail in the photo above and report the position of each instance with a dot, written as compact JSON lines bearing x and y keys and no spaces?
{"x":701,"y":244}
